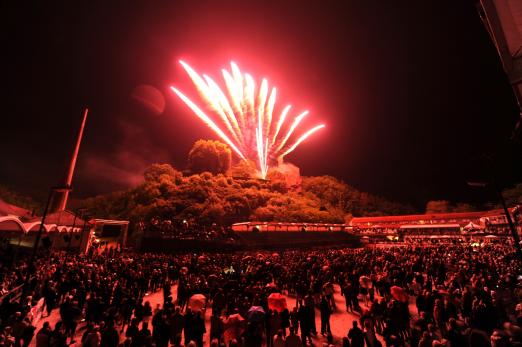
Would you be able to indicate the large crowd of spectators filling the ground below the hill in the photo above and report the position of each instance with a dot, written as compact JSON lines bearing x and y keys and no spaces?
{"x":451,"y":295}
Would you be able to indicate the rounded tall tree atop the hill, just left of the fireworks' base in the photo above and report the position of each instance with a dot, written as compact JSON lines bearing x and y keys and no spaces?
{"x":209,"y":155}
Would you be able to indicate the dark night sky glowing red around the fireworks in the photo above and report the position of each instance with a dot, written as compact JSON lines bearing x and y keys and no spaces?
{"x":412,"y":93}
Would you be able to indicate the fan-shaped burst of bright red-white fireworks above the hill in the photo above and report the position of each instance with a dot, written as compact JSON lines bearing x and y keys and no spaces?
{"x":246,"y":117}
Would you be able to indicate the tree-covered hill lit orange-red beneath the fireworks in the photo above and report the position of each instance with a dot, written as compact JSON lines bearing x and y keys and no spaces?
{"x":167,"y":193}
